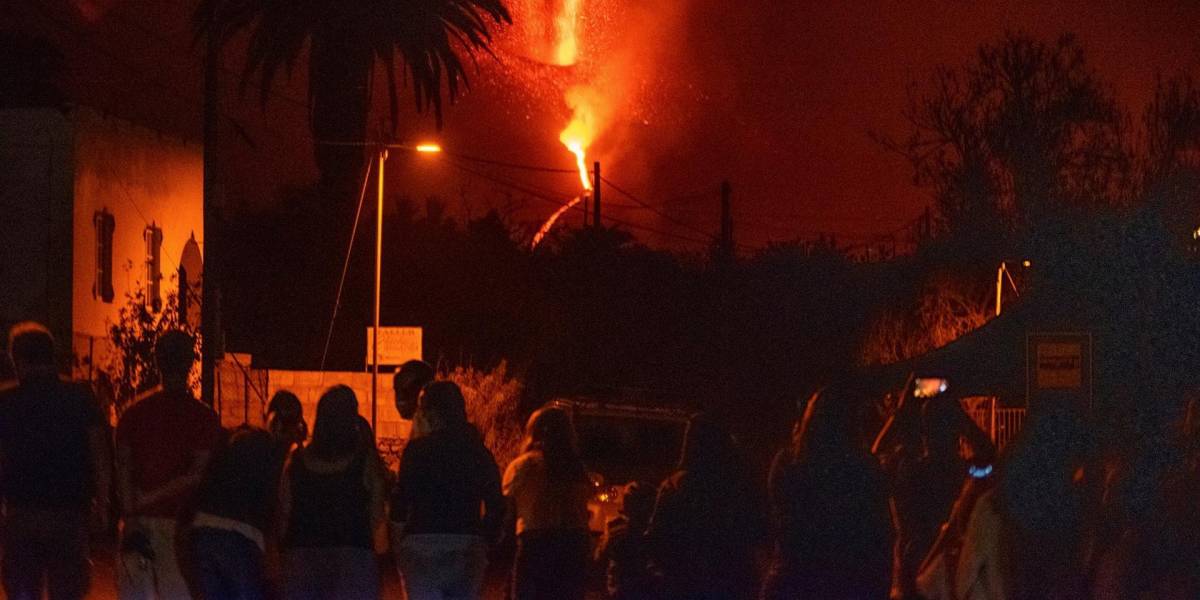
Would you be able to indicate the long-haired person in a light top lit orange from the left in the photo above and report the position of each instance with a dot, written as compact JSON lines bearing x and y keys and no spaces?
{"x":549,"y":489}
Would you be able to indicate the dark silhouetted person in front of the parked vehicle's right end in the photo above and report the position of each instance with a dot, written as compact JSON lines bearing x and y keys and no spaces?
{"x":707,"y":520}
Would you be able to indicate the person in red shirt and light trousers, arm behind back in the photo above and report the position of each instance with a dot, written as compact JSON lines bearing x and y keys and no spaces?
{"x":164,"y":445}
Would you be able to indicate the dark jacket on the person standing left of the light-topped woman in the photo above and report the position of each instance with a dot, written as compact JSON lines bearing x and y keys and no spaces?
{"x":445,"y":478}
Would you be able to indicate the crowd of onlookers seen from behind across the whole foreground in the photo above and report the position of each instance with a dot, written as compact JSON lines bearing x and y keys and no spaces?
{"x":931,"y":511}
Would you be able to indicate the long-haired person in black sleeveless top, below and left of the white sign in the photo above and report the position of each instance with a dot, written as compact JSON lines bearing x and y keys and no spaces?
{"x":331,"y":503}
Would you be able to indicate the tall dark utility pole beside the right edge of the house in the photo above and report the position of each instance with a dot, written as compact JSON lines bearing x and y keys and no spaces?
{"x":211,"y":310}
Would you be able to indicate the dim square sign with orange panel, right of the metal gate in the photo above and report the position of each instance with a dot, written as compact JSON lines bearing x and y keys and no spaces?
{"x":1059,"y":365}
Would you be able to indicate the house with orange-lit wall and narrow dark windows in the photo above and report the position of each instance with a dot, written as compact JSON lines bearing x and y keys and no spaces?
{"x":94,"y":209}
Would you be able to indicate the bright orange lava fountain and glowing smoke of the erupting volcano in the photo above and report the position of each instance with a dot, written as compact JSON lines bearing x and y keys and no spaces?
{"x":584,"y":71}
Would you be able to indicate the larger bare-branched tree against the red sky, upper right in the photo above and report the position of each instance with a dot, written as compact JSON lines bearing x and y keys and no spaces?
{"x":1023,"y":130}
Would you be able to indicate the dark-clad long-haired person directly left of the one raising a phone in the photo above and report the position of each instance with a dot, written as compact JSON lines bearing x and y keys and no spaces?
{"x":830,"y":507}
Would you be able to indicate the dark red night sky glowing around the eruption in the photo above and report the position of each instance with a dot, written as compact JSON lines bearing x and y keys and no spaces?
{"x":778,"y":98}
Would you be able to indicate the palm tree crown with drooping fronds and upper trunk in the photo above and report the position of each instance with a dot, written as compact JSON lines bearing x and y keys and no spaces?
{"x":345,"y":40}
